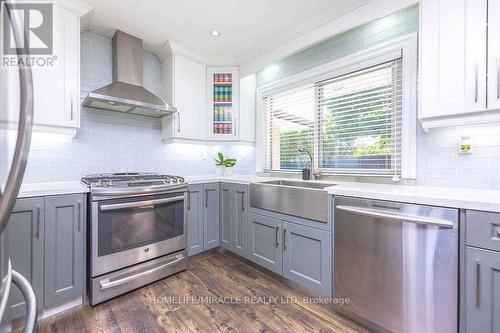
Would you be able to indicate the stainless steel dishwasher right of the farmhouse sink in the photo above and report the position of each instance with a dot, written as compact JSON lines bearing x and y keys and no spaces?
{"x":397,"y":264}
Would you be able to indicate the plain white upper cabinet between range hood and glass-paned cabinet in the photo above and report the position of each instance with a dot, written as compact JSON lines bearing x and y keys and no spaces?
{"x":184,"y":87}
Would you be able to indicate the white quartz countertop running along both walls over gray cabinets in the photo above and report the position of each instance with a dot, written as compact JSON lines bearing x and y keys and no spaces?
{"x":486,"y":200}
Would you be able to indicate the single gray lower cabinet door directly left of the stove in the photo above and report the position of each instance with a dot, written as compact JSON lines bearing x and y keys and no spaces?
{"x":64,"y":252}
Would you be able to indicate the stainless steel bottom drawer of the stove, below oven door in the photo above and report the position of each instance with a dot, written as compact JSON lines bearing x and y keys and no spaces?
{"x":117,"y":283}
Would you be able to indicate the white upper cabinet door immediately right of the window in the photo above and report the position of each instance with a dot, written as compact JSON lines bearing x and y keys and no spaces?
{"x":453,"y":62}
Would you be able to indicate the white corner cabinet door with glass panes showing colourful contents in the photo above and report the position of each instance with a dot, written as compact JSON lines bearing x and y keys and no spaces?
{"x":223,"y":103}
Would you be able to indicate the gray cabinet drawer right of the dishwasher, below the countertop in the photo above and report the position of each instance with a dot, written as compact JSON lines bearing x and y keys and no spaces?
{"x":483,"y":230}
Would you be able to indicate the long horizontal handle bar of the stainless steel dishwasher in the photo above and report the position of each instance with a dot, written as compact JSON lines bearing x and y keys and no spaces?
{"x":397,"y":217}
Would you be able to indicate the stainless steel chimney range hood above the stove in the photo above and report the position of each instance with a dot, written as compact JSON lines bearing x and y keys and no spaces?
{"x":126,"y":93}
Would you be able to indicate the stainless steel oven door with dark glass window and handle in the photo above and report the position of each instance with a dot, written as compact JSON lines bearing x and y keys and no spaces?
{"x":132,"y":230}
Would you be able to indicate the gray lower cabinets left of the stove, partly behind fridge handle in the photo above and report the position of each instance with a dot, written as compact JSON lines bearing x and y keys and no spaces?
{"x":45,"y":242}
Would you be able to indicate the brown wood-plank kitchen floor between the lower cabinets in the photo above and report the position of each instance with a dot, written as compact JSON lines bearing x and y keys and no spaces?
{"x":192,"y":301}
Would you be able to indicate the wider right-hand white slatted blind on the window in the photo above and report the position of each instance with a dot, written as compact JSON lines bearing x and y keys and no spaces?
{"x":359,"y":117}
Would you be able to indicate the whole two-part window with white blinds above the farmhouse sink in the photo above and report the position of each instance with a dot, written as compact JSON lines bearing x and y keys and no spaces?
{"x":353,"y":123}
